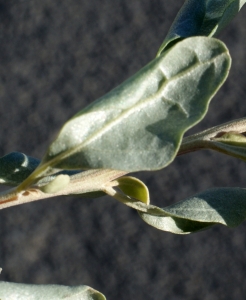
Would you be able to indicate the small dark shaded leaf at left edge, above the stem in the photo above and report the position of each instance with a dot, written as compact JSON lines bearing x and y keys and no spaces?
{"x":15,"y":167}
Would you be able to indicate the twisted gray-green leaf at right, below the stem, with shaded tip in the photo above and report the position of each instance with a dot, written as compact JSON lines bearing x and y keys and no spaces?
{"x":226,"y":206}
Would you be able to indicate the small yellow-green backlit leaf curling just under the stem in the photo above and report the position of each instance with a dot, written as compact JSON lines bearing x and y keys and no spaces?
{"x":134,"y":187}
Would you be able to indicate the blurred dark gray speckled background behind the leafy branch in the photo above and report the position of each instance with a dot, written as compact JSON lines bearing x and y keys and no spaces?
{"x":56,"y":57}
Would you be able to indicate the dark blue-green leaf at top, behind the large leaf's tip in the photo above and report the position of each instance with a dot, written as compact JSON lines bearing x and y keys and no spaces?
{"x":203,"y":17}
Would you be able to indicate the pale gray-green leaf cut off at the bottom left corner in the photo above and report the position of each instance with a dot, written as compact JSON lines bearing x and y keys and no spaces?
{"x":9,"y":290}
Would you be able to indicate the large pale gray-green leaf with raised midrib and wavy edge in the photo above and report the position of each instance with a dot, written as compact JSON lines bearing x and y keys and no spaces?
{"x":139,"y":125}
